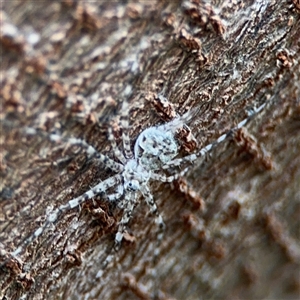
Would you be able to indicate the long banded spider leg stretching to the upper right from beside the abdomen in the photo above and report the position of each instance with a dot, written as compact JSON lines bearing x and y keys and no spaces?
{"x":190,"y":158}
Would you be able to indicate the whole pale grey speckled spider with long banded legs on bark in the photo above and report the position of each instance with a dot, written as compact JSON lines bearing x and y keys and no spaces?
{"x":154,"y":152}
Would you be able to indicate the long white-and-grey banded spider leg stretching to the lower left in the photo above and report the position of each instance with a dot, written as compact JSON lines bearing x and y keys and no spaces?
{"x":52,"y":218}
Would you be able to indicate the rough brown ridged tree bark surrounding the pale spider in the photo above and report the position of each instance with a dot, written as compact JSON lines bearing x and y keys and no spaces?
{"x":232,"y":222}
